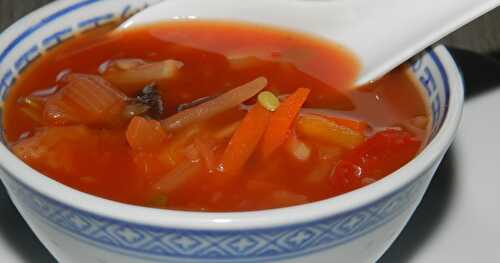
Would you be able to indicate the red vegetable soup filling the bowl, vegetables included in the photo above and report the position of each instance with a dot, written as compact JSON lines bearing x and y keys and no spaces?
{"x":211,"y":116}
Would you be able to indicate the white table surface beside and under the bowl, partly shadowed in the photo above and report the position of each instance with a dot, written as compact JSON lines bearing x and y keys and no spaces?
{"x":458,"y":220}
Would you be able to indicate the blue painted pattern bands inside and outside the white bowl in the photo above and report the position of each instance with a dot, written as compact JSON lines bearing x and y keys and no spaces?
{"x":254,"y":245}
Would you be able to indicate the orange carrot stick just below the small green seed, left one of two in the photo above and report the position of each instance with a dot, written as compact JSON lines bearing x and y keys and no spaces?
{"x":245,"y":140}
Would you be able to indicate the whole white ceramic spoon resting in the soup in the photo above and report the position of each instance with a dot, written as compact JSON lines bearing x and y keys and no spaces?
{"x":382,"y":34}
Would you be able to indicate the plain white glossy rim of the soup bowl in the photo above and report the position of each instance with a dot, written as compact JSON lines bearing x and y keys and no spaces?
{"x":21,"y":172}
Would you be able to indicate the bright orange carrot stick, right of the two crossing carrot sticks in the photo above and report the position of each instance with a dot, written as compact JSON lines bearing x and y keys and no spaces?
{"x":282,"y":120}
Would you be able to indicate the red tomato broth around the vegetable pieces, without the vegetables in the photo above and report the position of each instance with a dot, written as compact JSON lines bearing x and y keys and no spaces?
{"x":103,"y":164}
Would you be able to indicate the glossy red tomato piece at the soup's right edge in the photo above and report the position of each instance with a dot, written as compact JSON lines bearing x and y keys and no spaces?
{"x":377,"y":157}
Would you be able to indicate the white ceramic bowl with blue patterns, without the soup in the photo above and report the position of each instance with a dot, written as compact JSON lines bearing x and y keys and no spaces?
{"x":76,"y":227}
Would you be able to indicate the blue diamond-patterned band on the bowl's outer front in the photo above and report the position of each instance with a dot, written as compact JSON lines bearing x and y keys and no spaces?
{"x":232,"y":246}
